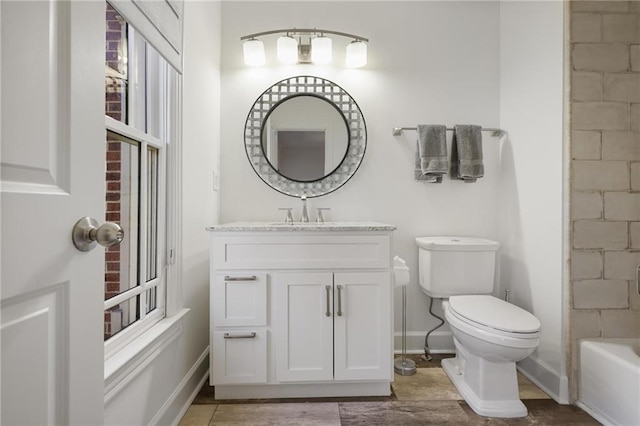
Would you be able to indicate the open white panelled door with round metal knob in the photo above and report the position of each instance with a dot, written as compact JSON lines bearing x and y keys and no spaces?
{"x":52,"y":174}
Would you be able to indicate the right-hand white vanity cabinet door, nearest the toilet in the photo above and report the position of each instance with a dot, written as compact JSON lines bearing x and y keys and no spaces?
{"x":363,"y":326}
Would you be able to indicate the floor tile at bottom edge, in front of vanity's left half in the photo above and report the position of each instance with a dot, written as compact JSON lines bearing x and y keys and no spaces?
{"x":308,"y":414}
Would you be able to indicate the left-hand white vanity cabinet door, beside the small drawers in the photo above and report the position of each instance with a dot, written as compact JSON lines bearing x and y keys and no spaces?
{"x":303,"y":326}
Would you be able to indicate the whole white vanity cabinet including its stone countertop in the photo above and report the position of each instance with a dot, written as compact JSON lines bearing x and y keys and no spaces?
{"x":301,"y":311}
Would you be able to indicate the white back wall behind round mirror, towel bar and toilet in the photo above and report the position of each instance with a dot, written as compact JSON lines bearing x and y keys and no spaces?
{"x":429,"y":62}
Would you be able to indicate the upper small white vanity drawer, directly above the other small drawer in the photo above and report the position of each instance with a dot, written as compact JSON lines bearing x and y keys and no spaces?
{"x":239,"y":299}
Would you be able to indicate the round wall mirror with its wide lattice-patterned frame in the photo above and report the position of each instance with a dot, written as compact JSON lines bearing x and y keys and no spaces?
{"x":305,"y":136}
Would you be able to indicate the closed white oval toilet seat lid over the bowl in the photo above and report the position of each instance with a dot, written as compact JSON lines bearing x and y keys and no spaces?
{"x":495,"y":313}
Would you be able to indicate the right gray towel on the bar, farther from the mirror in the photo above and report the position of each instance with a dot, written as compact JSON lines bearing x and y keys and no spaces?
{"x":466,"y":153}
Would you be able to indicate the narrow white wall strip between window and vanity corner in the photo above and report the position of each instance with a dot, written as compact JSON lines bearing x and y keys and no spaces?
{"x":201,"y":157}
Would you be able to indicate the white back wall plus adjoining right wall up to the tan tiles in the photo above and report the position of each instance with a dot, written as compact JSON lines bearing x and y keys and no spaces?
{"x":488,"y":63}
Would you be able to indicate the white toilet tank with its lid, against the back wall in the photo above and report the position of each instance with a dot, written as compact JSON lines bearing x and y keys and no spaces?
{"x":456,"y":265}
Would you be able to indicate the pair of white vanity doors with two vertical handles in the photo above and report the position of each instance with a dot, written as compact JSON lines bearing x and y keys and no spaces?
{"x":332,"y":326}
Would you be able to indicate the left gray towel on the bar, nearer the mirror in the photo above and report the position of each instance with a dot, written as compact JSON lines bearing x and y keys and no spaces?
{"x":431,"y":153}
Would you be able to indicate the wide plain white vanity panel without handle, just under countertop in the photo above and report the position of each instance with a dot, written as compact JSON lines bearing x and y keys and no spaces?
{"x":301,"y":251}
